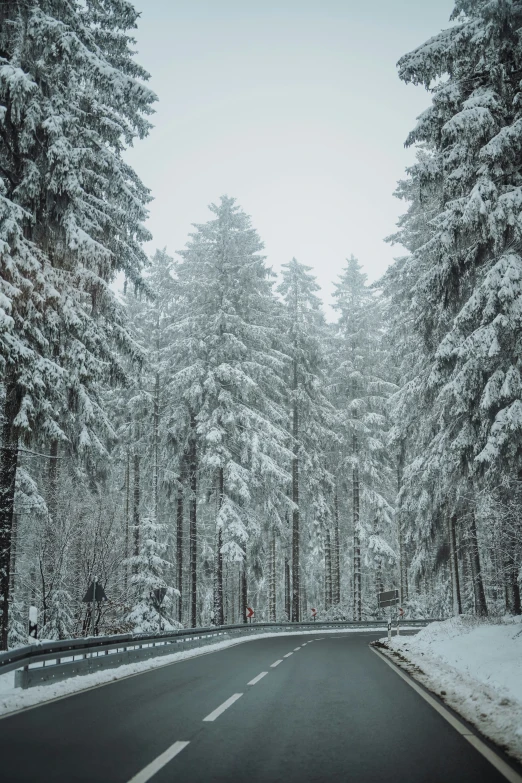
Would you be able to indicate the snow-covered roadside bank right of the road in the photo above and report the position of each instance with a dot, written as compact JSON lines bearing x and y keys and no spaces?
{"x":475,"y":667}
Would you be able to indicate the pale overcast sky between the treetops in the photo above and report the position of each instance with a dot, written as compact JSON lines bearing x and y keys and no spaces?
{"x":294,"y":108}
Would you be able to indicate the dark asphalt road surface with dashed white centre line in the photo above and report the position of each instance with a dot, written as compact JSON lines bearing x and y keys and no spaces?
{"x":330,"y":710}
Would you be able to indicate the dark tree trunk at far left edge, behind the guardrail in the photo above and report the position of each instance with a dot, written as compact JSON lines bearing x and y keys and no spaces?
{"x":8,"y":466}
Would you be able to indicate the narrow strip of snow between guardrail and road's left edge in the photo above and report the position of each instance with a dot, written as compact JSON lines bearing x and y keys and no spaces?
{"x":13,"y":699}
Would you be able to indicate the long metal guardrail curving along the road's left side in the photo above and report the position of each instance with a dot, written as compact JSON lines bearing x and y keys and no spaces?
{"x":54,"y":661}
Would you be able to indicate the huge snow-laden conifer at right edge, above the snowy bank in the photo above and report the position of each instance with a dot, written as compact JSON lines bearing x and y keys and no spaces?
{"x":468,"y":295}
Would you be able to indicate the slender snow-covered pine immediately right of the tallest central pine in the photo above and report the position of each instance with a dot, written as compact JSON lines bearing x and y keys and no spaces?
{"x":311,"y":413}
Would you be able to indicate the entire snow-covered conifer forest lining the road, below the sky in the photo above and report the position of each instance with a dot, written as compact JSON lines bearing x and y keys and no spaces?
{"x":189,"y":423}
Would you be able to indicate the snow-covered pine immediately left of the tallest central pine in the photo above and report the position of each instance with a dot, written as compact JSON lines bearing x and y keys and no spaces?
{"x":144,"y":412}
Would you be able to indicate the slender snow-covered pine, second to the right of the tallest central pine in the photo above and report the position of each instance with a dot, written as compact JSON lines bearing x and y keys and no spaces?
{"x":360,"y":392}
